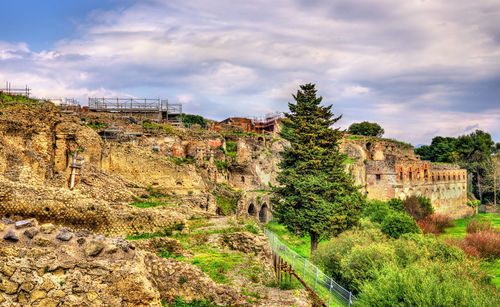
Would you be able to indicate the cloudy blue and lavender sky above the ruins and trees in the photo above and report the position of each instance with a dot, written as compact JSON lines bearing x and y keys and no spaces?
{"x":418,"y":68}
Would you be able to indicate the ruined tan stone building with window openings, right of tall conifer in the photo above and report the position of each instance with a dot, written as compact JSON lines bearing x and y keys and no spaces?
{"x":388,"y":169}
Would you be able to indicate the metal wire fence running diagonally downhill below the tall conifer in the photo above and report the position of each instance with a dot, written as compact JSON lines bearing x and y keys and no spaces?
{"x":325,"y":287}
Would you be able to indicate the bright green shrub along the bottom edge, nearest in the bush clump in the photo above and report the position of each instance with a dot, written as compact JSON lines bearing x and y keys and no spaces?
{"x":428,"y":284}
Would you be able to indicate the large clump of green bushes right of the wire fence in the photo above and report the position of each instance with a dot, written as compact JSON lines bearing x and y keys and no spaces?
{"x":414,"y":270}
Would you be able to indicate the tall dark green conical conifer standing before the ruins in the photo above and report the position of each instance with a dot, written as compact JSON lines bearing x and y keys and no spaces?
{"x":316,"y":197}
